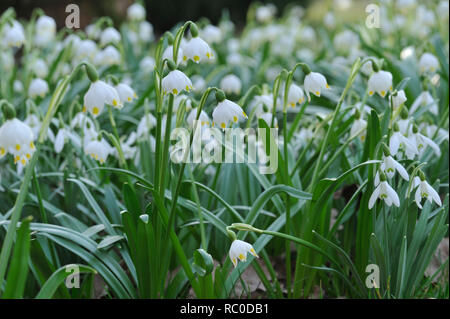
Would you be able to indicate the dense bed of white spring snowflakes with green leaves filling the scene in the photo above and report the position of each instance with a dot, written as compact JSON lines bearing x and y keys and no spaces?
{"x":356,"y":119}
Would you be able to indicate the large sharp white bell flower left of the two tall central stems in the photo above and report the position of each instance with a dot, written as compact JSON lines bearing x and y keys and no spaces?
{"x":99,"y":94}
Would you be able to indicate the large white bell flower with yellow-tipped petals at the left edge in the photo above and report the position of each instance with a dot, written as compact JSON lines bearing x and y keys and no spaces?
{"x":17,"y":139}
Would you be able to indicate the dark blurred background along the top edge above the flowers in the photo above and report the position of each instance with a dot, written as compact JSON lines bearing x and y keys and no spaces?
{"x":163,"y":14}
